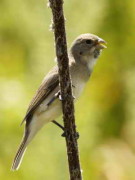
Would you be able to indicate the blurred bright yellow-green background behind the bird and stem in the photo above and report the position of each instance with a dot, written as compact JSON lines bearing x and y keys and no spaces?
{"x":105,"y":113}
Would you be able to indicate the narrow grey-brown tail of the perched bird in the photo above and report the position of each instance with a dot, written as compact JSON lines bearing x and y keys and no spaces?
{"x":20,"y":153}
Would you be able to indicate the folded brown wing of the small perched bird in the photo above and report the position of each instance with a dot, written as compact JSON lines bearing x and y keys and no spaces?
{"x":49,"y":83}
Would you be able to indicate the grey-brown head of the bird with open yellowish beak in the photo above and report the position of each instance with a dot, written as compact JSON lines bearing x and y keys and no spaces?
{"x":87,"y":48}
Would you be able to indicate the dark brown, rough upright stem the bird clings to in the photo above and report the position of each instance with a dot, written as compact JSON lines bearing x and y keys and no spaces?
{"x":66,"y":89}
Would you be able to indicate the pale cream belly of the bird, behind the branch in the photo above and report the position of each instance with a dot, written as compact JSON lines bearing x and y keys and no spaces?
{"x":45,"y":113}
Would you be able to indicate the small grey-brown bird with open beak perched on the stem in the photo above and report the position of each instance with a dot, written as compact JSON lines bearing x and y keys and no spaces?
{"x":46,"y":106}
